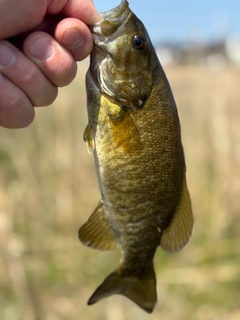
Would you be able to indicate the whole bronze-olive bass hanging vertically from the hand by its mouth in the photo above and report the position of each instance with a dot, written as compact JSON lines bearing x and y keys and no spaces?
{"x":134,"y":134}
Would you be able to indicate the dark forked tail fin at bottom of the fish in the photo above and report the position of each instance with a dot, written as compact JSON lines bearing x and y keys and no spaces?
{"x":141,"y":289}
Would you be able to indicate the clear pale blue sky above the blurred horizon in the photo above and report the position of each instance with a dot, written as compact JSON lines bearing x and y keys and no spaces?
{"x":183,"y":20}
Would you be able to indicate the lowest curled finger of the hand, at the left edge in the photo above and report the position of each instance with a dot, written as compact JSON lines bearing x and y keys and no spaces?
{"x":16,"y":110}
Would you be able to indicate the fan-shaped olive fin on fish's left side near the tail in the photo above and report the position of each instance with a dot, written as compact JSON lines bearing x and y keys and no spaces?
{"x":97,"y":232}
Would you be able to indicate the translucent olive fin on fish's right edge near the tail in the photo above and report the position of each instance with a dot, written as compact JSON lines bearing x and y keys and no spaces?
{"x":179,"y":230}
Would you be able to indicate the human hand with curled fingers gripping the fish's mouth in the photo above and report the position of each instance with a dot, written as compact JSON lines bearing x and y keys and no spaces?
{"x":40,"y":42}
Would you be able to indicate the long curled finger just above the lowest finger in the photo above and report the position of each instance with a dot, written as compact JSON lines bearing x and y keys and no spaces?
{"x":26,"y":75}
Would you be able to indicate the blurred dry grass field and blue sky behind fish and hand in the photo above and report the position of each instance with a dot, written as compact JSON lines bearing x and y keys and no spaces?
{"x":48,"y":186}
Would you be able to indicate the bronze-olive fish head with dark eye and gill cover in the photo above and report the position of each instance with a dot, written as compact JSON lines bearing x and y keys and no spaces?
{"x":123,"y":58}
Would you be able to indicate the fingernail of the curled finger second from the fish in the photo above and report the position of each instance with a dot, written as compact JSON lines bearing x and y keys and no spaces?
{"x":42,"y":49}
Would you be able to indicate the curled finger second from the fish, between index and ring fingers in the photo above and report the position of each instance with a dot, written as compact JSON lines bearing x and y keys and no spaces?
{"x":56,"y":63}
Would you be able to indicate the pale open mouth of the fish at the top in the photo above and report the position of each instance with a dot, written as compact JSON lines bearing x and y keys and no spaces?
{"x":111,"y":20}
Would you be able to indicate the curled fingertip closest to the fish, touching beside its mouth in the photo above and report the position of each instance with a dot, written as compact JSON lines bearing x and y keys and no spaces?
{"x":75,"y":36}
